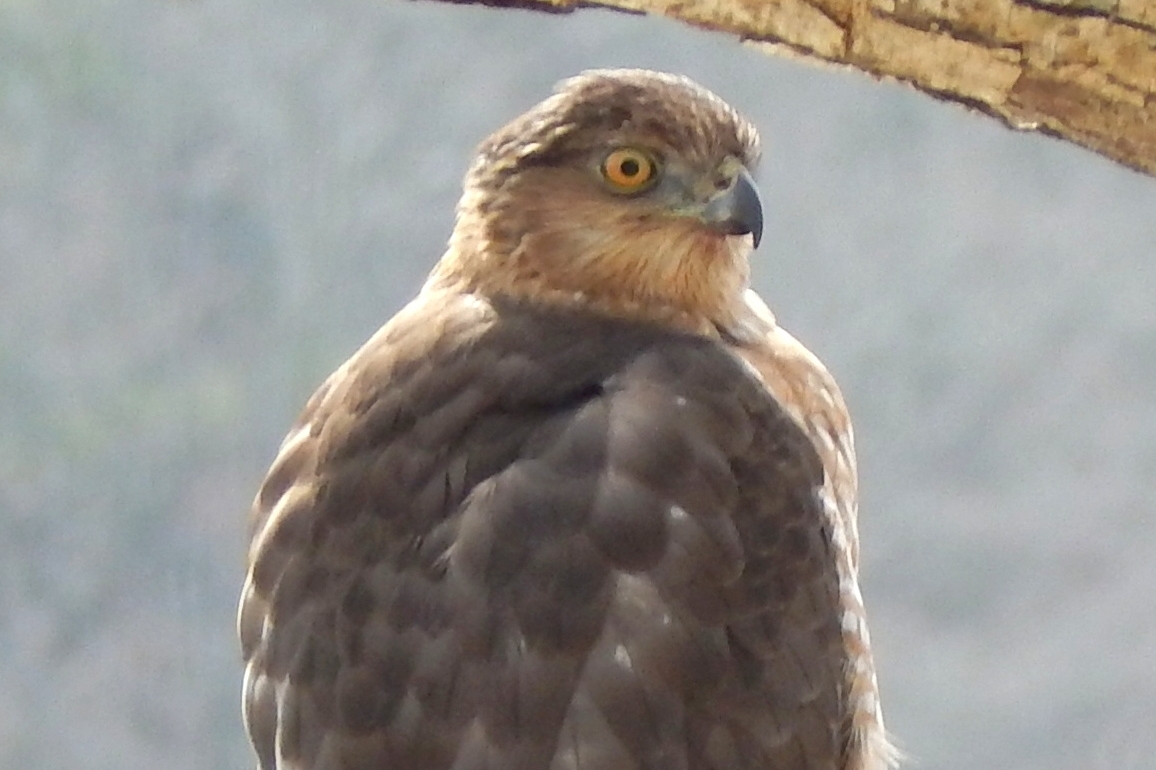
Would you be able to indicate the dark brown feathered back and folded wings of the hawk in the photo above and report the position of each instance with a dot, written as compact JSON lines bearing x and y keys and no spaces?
{"x":527,"y":539}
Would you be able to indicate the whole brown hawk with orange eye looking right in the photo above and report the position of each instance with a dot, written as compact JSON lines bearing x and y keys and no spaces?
{"x":582,"y":505}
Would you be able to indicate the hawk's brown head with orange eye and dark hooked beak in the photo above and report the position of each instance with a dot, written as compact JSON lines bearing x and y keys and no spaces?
{"x":627,"y":191}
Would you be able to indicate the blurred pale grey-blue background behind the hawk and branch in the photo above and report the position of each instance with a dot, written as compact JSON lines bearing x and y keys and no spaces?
{"x":208,"y":205}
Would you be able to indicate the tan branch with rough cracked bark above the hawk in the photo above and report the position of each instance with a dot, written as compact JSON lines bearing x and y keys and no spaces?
{"x":1080,"y":70}
